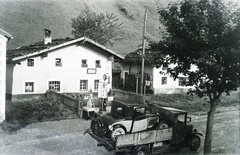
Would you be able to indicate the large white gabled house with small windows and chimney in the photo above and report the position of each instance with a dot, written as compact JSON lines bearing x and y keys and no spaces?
{"x":63,"y":65}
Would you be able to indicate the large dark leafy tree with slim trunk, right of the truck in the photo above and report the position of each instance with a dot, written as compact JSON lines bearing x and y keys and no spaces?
{"x":204,"y":33}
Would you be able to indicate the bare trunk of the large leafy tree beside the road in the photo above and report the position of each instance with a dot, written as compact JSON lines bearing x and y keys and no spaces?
{"x":209,"y":129}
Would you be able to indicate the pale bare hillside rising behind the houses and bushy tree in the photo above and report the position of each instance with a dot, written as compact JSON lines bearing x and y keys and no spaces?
{"x":26,"y":19}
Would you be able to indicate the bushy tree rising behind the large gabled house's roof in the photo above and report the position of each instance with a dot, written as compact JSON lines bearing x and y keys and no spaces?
{"x":99,"y":27}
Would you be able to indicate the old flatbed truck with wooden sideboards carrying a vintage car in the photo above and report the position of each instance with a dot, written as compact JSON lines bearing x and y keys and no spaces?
{"x":139,"y":129}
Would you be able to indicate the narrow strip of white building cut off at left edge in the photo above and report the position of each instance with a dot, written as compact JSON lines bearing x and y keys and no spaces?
{"x":4,"y":37}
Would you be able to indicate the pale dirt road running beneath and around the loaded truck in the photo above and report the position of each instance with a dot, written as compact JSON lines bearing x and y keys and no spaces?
{"x":66,"y":137}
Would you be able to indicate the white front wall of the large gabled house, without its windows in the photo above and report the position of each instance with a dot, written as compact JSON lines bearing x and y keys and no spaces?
{"x":69,"y":74}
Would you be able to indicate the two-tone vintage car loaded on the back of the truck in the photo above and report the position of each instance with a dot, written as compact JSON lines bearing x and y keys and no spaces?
{"x":125,"y":118}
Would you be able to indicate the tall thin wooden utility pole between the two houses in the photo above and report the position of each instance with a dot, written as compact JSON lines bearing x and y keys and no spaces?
{"x":143,"y":52}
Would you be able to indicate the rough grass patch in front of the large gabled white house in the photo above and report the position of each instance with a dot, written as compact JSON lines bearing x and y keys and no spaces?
{"x":22,"y":113}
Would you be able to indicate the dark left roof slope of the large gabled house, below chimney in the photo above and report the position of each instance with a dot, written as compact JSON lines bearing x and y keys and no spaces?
{"x":24,"y":50}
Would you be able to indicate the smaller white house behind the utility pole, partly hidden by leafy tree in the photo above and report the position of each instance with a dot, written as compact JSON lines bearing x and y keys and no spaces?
{"x":160,"y":82}
